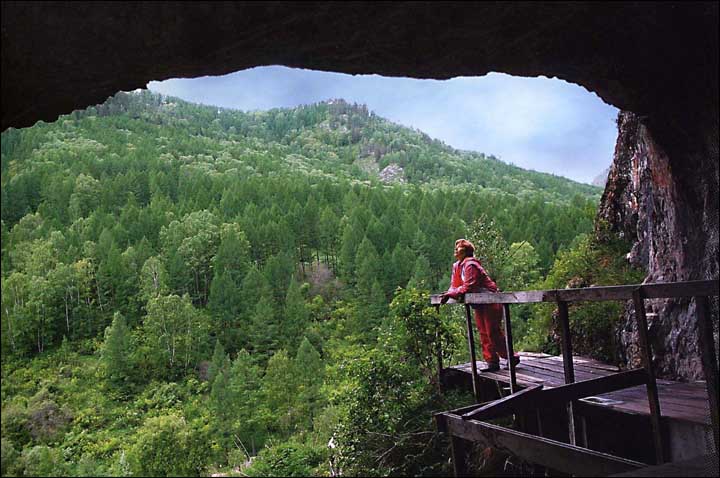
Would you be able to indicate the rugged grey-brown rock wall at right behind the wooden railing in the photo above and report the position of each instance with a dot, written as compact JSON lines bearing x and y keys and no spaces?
{"x":644,"y":204}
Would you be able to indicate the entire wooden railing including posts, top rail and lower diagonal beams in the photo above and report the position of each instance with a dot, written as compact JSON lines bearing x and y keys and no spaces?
{"x":457,"y":422}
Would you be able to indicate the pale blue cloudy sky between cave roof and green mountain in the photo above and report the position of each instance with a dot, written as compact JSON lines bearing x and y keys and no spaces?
{"x":543,"y":124}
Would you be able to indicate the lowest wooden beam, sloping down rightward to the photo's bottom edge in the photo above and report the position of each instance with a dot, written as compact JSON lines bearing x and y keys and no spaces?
{"x":542,"y":451}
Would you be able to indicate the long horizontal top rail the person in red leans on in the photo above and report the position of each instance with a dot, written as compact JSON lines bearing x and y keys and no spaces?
{"x":621,"y":292}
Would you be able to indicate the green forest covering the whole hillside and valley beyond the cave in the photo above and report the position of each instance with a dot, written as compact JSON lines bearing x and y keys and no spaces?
{"x":189,"y":290}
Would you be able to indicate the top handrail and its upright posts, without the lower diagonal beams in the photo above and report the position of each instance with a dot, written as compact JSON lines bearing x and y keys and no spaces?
{"x":699,"y":290}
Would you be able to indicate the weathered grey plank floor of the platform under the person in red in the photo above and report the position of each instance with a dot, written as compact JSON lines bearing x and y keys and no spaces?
{"x":678,"y":400}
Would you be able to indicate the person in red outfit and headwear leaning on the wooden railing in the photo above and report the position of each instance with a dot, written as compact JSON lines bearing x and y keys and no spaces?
{"x":468,"y":275}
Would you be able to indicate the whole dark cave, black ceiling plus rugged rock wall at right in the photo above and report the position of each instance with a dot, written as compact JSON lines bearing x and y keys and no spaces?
{"x":658,"y":61}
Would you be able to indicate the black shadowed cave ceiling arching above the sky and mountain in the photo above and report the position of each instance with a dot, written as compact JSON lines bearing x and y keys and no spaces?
{"x":659,"y":60}
